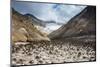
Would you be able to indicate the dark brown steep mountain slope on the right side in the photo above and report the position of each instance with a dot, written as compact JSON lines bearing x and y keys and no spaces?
{"x":82,"y":24}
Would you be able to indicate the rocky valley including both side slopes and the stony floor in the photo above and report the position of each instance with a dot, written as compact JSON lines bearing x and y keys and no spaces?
{"x":74,"y":41}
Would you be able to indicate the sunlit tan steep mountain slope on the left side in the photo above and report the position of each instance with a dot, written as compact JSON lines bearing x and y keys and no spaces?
{"x":25,"y":29}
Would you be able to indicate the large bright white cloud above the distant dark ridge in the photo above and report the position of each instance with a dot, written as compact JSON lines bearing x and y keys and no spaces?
{"x":59,"y":13}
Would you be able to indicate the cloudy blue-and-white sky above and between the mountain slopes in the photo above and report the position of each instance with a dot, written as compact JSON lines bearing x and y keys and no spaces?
{"x":60,"y":13}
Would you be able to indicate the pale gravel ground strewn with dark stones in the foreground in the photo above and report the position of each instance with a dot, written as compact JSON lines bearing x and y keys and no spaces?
{"x":57,"y":51}
